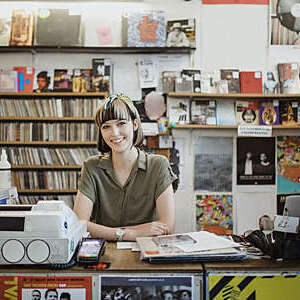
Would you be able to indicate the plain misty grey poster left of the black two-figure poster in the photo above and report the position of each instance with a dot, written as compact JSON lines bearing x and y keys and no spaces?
{"x":213,"y":164}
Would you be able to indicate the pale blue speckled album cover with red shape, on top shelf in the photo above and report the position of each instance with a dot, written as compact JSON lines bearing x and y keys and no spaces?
{"x":146,"y":29}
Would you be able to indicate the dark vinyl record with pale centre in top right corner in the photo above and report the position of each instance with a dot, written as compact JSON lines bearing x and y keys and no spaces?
{"x":288,"y":12}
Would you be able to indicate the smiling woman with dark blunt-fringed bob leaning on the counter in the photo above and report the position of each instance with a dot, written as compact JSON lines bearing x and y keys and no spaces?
{"x":124,"y":192}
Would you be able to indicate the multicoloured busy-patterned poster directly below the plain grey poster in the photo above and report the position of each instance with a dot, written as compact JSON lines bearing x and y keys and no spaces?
{"x":214,"y":213}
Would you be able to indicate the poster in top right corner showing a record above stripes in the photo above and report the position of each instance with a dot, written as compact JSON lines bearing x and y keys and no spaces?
{"x":284,"y":23}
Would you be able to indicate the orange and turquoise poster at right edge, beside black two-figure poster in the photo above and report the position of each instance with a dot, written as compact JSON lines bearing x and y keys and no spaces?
{"x":288,"y":164}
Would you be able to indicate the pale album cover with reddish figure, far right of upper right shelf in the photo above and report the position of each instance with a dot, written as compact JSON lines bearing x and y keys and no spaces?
{"x":288,"y":74}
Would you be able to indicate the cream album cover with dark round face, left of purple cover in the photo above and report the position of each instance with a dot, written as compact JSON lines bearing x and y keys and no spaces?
{"x":247,"y":112}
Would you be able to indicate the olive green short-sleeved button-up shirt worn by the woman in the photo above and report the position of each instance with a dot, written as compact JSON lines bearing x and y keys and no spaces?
{"x":135,"y":202}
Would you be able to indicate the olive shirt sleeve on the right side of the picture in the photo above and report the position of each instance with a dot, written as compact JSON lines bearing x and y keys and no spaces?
{"x":166,"y":177}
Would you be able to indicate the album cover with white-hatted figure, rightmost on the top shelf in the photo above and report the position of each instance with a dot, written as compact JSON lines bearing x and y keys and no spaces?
{"x":181,"y":33}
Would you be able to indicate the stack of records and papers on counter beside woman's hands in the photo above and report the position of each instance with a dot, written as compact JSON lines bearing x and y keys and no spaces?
{"x":188,"y":247}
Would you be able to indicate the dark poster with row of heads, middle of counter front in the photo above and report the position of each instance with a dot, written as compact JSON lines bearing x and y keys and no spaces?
{"x":146,"y":287}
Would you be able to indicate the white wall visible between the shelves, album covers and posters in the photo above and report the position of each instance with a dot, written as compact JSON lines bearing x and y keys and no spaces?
{"x":227,"y":36}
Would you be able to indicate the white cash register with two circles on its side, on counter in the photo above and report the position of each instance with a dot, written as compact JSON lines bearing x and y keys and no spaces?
{"x":45,"y":233}
